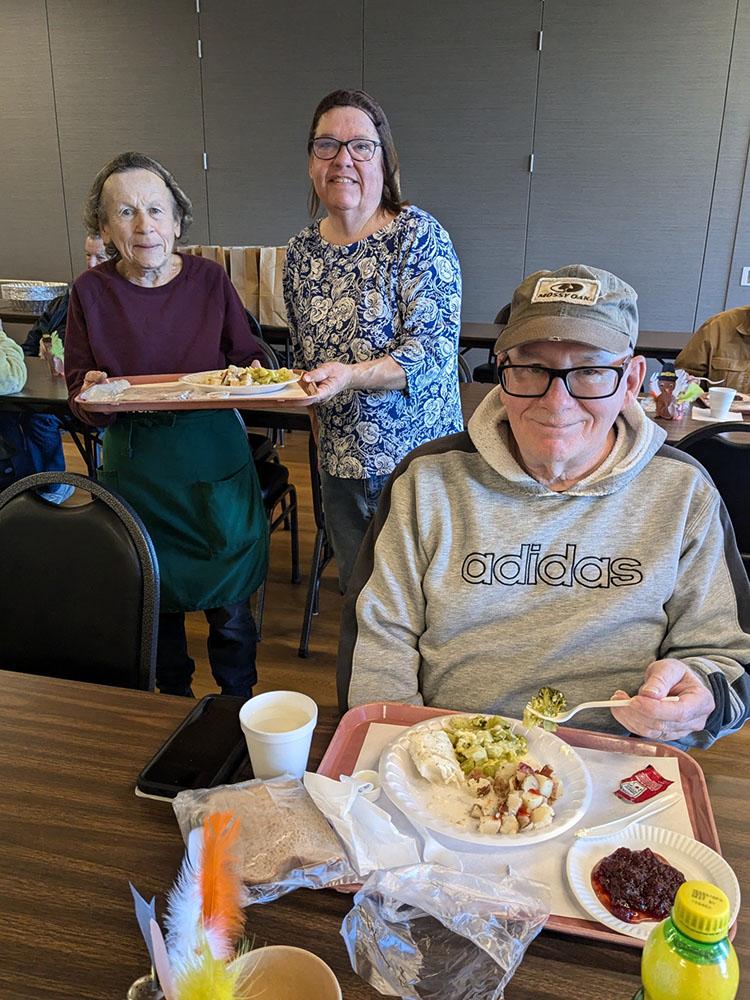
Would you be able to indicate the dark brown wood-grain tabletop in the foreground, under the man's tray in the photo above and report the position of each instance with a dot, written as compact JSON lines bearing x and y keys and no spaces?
{"x":74,"y":834}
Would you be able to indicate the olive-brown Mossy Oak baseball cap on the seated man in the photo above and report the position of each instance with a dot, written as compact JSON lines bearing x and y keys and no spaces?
{"x":576,"y":303}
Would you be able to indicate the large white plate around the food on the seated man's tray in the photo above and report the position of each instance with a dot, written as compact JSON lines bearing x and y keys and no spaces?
{"x":445,"y":810}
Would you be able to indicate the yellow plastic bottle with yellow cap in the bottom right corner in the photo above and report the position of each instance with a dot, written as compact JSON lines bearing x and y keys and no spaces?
{"x":688,"y":956}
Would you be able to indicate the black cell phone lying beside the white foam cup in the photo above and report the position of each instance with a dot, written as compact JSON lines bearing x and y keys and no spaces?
{"x":206,"y":749}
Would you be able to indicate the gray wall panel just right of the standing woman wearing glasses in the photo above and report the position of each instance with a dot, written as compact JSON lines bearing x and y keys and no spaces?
{"x":458,"y":83}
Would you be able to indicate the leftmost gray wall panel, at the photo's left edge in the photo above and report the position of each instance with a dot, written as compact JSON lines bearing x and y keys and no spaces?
{"x":33,"y":233}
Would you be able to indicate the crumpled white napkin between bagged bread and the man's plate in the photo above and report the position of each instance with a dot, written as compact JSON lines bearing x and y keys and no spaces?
{"x":371,"y":839}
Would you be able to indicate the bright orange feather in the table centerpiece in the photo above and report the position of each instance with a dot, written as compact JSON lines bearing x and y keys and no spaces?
{"x":221,"y":883}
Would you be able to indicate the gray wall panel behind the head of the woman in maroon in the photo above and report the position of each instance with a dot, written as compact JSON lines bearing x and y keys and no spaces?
{"x":127,"y":76}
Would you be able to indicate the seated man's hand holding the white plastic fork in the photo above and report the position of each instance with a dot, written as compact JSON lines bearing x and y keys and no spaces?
{"x":648,"y":716}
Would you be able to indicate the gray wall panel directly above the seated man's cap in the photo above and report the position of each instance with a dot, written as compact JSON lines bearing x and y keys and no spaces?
{"x":629,"y":115}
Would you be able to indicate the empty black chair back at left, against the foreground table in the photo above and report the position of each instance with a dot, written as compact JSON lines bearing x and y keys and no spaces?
{"x":79,"y":588}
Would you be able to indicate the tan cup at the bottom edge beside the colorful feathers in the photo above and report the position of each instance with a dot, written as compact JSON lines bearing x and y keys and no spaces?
{"x":283,"y":971}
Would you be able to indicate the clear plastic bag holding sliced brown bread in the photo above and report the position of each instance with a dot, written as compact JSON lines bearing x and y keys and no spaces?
{"x":286,"y":843}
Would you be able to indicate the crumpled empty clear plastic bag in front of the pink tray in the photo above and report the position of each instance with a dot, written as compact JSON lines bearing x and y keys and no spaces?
{"x":430,"y":933}
